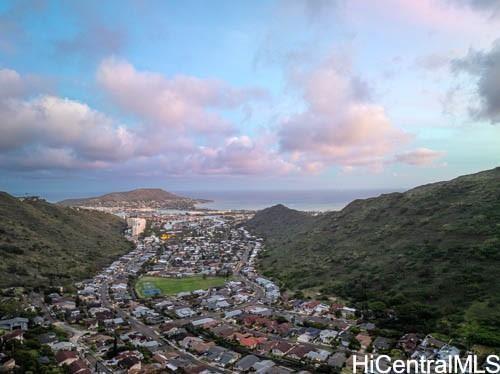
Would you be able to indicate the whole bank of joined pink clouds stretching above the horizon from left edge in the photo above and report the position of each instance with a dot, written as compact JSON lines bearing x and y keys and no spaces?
{"x":181,"y":128}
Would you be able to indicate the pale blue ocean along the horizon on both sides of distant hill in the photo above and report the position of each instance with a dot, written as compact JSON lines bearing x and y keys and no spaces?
{"x":307,"y":200}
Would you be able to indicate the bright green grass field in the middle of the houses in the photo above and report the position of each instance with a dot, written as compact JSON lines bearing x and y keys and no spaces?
{"x":172,"y":286}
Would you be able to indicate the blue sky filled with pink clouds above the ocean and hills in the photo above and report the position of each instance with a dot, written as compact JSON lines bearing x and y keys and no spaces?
{"x":246,"y":95}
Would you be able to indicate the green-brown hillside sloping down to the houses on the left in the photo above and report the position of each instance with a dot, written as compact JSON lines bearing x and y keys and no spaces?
{"x":43,"y":244}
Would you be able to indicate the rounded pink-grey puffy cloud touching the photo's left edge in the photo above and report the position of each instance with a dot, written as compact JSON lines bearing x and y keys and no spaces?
{"x":56,"y":122}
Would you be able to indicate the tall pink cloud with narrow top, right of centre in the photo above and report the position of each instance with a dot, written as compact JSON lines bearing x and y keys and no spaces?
{"x":340,"y":125}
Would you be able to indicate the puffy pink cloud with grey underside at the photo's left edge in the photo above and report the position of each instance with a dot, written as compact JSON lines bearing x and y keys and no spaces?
{"x":48,"y":127}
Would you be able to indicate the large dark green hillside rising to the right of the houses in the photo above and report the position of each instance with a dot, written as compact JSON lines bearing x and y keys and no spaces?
{"x":431,"y":254}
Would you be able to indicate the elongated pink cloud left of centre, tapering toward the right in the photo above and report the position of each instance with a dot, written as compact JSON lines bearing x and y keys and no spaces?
{"x":181,"y":103}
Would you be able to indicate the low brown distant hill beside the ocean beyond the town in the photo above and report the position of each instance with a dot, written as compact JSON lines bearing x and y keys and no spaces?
{"x":139,"y":198}
